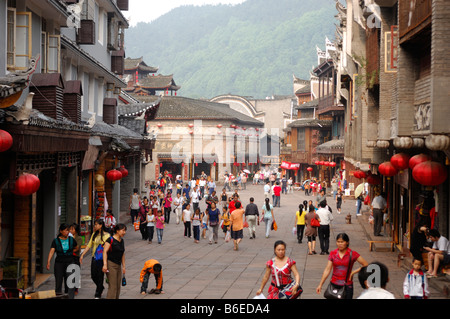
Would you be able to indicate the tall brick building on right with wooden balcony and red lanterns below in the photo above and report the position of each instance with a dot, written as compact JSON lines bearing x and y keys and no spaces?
{"x":395,"y":104}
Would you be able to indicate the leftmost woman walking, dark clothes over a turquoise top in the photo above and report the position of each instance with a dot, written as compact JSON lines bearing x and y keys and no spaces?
{"x":64,"y":246}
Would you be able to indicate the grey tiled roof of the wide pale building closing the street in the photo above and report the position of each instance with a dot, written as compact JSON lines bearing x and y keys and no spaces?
{"x":173,"y":107}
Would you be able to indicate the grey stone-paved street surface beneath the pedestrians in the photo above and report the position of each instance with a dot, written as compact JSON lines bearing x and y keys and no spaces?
{"x":203,"y":271}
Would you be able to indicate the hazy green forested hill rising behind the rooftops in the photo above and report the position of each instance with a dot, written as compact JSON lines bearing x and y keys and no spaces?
{"x":251,"y":49}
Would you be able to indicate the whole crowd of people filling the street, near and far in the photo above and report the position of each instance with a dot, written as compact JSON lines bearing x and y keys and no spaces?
{"x":227,"y":213}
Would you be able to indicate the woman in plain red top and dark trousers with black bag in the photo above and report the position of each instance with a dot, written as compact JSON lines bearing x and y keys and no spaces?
{"x":340,"y":265}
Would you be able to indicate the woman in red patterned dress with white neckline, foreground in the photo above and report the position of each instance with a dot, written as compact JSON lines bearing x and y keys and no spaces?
{"x":281,"y":267}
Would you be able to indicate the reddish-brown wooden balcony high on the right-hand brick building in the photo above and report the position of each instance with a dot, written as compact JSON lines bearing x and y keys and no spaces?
{"x":415,"y":19}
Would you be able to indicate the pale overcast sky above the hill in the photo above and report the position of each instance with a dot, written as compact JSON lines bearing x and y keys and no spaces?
{"x":149,"y":10}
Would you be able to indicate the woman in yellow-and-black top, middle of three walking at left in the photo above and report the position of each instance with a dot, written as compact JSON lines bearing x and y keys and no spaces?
{"x":99,"y":237}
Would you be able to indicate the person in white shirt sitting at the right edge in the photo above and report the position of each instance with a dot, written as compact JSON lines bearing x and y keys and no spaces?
{"x":438,"y":254}
